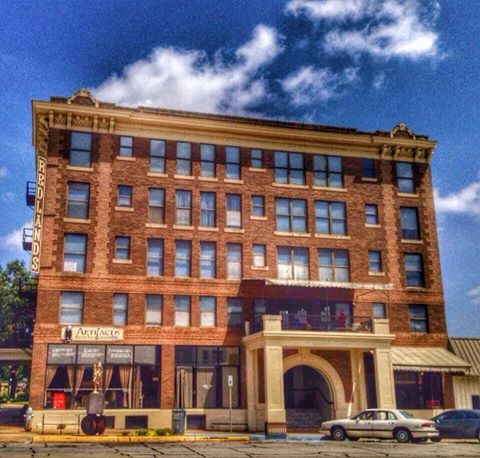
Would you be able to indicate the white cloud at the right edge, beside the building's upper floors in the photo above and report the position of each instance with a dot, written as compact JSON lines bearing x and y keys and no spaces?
{"x":465,"y":201}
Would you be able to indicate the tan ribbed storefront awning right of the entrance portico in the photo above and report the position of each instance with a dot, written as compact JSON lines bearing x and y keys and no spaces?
{"x":431,"y":359}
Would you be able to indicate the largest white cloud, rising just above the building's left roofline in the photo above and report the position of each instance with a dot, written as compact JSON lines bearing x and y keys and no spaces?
{"x":190,"y":80}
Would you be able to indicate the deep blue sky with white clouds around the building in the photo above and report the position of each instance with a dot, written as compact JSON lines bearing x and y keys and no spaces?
{"x":360,"y":63}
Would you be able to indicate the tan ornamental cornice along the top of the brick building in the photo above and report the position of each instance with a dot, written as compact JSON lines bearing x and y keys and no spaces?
{"x":173,"y":126}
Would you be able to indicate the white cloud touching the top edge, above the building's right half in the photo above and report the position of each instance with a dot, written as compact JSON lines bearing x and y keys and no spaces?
{"x":382,"y":28}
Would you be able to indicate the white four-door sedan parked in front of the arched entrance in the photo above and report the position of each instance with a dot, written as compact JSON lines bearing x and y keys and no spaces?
{"x":381,"y":424}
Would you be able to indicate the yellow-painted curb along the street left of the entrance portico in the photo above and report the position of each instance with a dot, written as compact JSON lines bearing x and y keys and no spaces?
{"x":135,"y":439}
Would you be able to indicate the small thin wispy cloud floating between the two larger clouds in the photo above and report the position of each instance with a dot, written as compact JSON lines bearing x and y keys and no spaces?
{"x":309,"y":85}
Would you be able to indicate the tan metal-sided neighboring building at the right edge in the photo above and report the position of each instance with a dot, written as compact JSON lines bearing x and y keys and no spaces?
{"x":467,"y":387}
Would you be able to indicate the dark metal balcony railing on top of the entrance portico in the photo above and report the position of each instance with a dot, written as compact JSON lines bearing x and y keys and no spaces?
{"x":325,"y":323}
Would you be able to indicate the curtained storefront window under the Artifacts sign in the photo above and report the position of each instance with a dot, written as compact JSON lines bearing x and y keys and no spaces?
{"x":130,"y":375}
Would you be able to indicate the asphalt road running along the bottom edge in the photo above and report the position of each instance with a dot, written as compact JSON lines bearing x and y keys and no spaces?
{"x":266,"y":449}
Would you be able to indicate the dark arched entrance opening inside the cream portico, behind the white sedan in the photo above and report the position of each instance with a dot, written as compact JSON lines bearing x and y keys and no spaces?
{"x":308,"y":398}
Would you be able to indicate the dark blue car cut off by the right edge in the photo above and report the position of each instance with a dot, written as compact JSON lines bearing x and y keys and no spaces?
{"x":458,"y":424}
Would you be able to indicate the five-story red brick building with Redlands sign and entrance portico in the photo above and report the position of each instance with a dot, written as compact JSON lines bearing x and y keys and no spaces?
{"x":287,"y":268}
